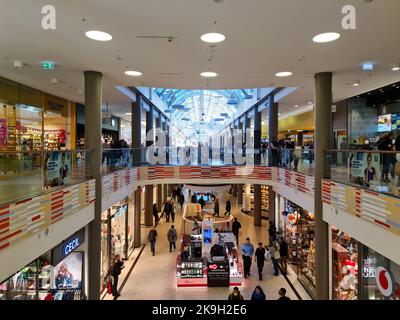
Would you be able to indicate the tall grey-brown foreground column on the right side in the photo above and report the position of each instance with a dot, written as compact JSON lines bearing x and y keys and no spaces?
{"x":323,"y":141}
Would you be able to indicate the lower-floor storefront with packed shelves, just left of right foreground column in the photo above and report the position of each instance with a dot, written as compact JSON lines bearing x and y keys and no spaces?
{"x":298,"y":226}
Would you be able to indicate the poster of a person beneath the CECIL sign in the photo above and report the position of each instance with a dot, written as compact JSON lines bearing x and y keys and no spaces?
{"x":68,"y":273}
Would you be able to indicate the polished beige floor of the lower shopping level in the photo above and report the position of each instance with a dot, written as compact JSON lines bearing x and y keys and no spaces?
{"x":153,"y":277}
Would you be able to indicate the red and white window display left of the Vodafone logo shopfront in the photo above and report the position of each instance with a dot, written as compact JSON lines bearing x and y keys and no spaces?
{"x":344,"y":266}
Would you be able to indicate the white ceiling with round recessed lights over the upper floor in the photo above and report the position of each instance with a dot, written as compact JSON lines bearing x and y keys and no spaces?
{"x":262,"y":38}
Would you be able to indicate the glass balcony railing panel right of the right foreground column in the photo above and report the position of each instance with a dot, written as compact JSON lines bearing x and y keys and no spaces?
{"x":375,"y":170}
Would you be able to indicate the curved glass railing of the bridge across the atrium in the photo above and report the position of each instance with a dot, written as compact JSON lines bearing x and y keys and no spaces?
{"x":301,"y":160}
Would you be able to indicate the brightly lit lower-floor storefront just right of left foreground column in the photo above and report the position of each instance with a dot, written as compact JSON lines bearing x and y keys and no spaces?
{"x":116,"y":236}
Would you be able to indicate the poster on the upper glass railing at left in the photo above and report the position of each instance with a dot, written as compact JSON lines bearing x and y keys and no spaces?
{"x":57,"y":168}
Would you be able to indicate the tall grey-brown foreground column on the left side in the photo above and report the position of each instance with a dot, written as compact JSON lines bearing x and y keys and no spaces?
{"x":93,"y":102}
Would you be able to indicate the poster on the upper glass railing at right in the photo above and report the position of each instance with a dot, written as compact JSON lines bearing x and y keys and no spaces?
{"x":364,"y":168}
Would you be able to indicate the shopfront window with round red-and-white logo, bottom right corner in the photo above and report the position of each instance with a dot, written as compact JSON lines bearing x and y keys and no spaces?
{"x":380,"y":277}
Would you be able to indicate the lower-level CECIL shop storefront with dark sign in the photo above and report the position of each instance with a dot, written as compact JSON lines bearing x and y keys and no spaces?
{"x":56,"y":275}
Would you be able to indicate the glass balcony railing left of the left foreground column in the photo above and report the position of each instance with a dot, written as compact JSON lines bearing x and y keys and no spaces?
{"x":27,"y":174}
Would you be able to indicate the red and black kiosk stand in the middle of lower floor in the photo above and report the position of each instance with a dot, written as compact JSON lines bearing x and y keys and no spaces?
{"x":207,"y":258}
